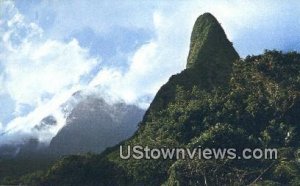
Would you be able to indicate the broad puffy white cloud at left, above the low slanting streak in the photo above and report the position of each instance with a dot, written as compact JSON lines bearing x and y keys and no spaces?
{"x":36,"y":69}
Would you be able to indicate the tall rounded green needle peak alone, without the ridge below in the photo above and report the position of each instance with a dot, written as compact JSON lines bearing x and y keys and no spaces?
{"x":210,"y":50}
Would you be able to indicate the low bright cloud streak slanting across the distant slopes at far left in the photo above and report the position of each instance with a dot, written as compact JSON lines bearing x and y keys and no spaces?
{"x":23,"y":127}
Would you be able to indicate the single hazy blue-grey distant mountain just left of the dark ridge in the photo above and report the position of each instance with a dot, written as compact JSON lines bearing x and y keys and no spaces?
{"x":94,"y":125}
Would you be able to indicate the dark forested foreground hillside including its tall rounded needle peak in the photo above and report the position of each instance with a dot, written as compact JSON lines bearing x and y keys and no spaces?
{"x":218,"y":101}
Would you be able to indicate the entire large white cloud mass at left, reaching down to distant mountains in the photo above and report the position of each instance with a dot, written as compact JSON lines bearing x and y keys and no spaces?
{"x":37,"y":74}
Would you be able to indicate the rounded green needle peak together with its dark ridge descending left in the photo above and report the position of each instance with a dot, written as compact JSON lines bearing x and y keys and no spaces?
{"x":209,"y":63}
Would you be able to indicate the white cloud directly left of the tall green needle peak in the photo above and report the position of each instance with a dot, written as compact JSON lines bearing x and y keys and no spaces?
{"x":151,"y":65}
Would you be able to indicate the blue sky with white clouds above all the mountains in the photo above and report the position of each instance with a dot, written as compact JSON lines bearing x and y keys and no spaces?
{"x":119,"y":50}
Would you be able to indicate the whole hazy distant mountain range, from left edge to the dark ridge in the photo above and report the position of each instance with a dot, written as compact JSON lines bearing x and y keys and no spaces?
{"x":92,"y":126}
